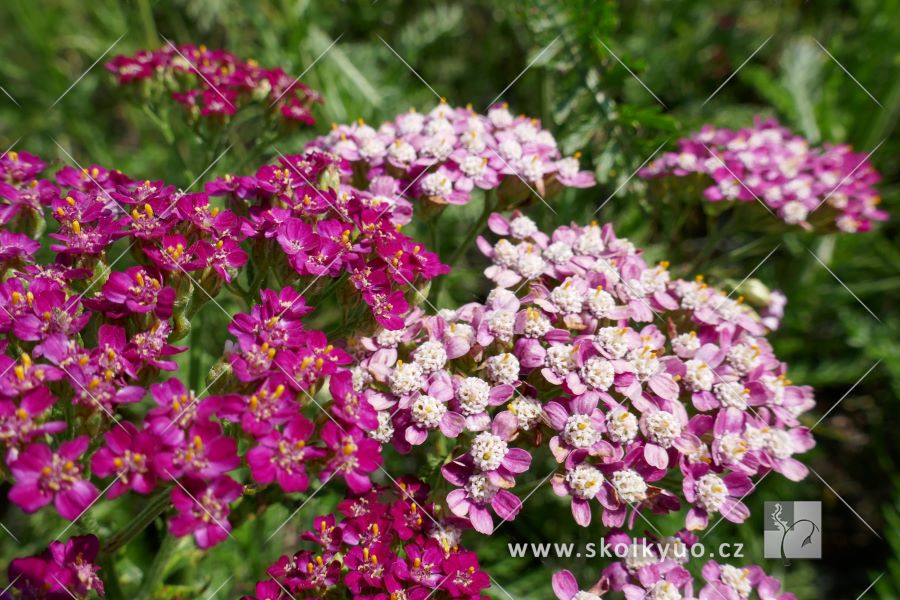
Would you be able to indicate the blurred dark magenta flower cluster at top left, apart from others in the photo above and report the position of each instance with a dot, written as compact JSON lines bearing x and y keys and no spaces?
{"x":216,"y":83}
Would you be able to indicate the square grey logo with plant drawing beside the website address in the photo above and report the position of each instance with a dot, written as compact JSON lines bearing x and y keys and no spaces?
{"x":792,"y":530}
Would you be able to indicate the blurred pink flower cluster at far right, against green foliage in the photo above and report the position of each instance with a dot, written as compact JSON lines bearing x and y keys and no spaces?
{"x":768,"y":163}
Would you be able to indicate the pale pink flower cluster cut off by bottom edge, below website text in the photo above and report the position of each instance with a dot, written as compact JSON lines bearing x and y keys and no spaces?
{"x":655,"y":568}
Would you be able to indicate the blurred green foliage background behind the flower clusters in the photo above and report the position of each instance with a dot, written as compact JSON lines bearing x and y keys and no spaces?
{"x":469,"y":52}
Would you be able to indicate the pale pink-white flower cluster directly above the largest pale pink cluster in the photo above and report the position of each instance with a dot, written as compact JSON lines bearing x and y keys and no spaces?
{"x":444,"y":155}
